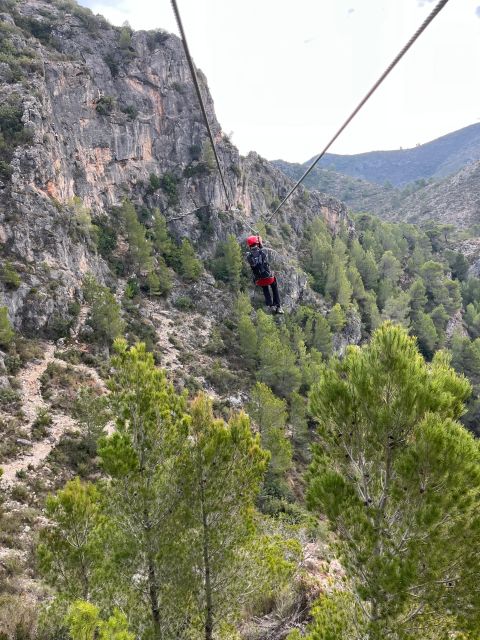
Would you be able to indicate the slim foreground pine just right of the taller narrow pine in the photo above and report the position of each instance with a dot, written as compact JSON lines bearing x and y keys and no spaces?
{"x":221,"y":476}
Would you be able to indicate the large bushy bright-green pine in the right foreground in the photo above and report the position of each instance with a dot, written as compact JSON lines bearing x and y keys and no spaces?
{"x":399,"y":480}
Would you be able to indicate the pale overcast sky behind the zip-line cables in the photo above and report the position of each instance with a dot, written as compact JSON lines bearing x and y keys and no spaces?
{"x":284,"y":74}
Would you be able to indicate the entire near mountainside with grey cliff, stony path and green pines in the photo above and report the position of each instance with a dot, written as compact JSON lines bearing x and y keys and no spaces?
{"x":177,"y":461}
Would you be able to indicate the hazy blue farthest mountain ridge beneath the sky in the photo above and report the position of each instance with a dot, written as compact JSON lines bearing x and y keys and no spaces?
{"x":437,"y":159}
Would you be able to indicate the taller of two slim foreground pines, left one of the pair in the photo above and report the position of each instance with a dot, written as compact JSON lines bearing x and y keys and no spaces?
{"x":142,"y":497}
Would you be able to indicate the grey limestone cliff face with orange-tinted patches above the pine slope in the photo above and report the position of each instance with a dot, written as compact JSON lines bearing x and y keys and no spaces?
{"x":106,"y":109}
